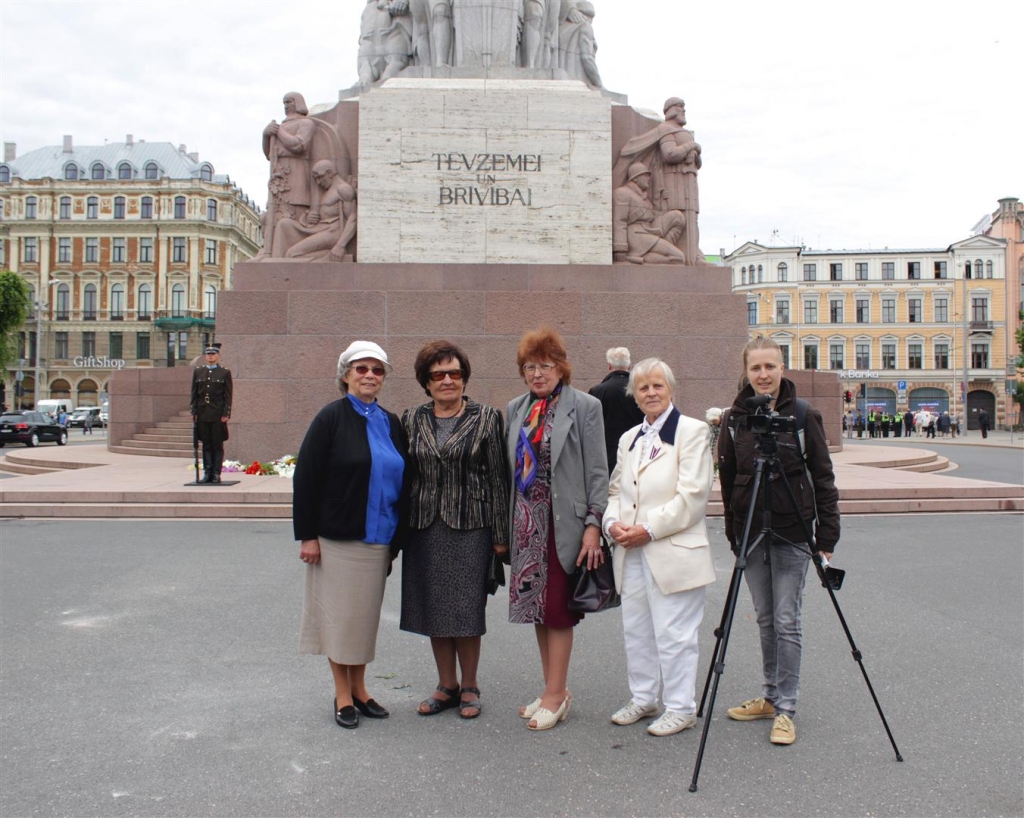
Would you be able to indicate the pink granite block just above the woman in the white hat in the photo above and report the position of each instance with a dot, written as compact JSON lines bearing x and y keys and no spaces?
{"x":354,"y":314}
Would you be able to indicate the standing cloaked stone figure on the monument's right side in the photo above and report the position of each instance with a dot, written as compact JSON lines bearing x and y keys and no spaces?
{"x":674,"y":158}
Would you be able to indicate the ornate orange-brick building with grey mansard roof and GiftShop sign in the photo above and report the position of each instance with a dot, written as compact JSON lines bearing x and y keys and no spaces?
{"x":125,"y":248}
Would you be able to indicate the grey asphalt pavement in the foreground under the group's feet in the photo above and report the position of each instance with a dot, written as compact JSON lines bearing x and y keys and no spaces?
{"x":150,"y":669}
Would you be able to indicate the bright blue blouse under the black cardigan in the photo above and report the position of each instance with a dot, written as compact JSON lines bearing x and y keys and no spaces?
{"x":387,"y":469}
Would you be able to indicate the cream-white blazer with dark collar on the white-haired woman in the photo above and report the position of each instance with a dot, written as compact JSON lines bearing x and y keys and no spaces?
{"x":669,"y":491}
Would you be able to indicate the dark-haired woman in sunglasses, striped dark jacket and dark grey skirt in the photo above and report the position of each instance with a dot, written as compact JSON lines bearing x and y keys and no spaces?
{"x":458,"y":519}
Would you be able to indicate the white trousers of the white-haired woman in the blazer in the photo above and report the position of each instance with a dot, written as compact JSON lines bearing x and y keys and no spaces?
{"x":661,"y":632}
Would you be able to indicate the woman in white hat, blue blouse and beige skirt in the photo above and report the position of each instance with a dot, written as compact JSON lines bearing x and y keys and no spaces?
{"x":350,"y":482}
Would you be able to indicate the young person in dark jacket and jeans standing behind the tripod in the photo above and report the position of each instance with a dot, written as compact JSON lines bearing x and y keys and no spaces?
{"x":777,"y":572}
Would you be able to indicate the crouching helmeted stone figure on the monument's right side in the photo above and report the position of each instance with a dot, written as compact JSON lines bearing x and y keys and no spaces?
{"x":639,"y":234}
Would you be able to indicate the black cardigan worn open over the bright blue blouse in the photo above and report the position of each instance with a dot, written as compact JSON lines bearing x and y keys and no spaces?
{"x":331,"y":485}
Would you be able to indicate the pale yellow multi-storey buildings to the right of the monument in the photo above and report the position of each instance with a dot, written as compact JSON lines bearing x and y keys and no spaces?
{"x":921,"y":329}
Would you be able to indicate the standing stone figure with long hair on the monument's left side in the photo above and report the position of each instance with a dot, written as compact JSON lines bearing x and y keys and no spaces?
{"x":293,"y":147}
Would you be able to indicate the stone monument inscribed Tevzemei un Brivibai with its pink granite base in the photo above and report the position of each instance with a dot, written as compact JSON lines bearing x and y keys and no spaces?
{"x":478,"y":181}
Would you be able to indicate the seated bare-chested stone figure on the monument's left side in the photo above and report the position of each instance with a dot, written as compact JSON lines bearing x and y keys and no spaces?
{"x":323,"y":235}
